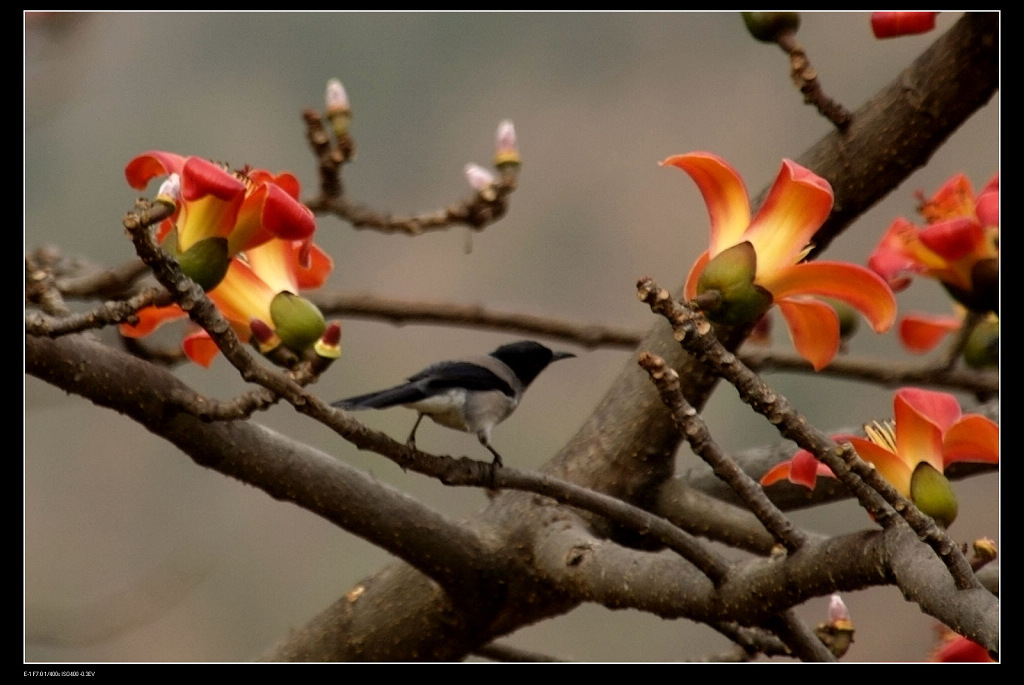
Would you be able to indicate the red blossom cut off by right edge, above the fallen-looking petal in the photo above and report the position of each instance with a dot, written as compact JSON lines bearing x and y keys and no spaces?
{"x":960,"y":245}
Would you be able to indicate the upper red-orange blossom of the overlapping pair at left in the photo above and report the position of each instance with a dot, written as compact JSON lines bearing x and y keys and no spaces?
{"x":235,"y":211}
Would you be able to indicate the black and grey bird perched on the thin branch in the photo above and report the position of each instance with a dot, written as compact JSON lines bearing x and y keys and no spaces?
{"x":472,"y":395}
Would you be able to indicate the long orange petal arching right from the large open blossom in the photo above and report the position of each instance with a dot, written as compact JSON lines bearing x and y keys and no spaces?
{"x":855,"y":285}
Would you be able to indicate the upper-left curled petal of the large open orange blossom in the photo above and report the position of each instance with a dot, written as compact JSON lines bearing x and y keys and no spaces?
{"x":723,"y":192}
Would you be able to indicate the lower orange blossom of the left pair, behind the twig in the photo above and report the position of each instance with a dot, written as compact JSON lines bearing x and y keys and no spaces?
{"x":260,"y":291}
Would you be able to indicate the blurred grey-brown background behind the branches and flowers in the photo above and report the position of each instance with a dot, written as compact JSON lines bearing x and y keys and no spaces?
{"x":133,"y":553}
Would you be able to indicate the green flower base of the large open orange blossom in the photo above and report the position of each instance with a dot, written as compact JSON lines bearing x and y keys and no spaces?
{"x":731,"y":275}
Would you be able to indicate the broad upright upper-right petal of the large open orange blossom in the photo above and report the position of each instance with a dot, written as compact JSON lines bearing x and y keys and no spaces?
{"x":797,"y":205}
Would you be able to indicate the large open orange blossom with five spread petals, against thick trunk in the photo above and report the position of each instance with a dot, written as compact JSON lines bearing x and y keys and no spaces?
{"x":755,"y":264}
